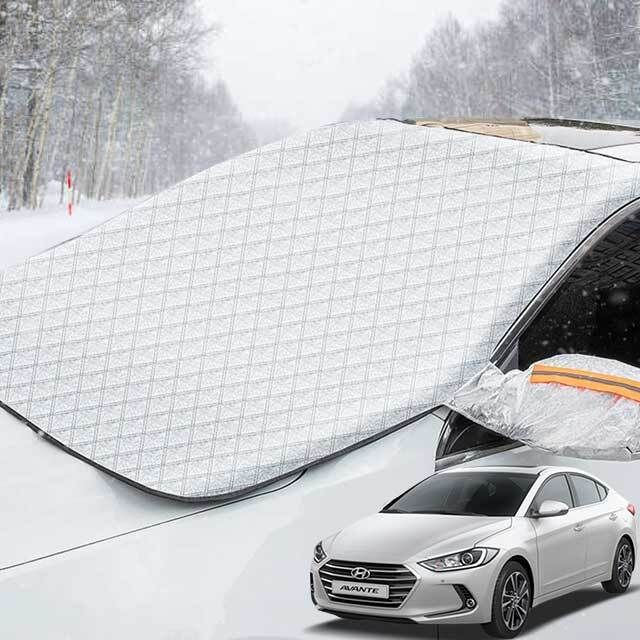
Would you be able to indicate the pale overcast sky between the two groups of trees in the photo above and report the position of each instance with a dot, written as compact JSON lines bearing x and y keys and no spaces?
{"x":305,"y":60}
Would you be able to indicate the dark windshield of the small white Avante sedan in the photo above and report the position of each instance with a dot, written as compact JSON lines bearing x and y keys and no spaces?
{"x":466,"y":494}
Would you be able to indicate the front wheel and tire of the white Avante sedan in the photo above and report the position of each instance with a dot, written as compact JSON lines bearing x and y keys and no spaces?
{"x":511,"y":602}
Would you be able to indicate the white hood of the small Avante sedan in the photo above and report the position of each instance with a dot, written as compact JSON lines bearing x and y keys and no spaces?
{"x":400,"y":537}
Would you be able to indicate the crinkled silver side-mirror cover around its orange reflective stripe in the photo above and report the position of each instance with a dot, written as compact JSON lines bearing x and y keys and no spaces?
{"x":560,"y":419}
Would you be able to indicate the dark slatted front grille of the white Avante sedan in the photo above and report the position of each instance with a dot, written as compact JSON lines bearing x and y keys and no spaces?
{"x":397,"y":576}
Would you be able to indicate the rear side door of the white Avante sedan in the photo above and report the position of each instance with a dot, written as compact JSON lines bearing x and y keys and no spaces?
{"x":599,"y":524}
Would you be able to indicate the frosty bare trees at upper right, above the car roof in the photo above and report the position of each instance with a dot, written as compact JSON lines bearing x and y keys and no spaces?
{"x":547,"y":58}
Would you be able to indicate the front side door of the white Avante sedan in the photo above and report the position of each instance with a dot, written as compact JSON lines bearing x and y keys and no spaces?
{"x":561,"y":540}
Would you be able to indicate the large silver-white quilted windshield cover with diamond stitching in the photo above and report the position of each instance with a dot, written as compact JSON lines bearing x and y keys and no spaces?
{"x":295,"y":301}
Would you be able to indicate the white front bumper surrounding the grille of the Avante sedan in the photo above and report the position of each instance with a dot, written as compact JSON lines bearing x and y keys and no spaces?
{"x":436,"y":598}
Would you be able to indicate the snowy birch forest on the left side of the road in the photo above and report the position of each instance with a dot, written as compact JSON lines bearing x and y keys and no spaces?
{"x":111,"y":90}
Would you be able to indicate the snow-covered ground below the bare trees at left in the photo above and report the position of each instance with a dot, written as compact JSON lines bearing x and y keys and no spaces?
{"x":27,"y":233}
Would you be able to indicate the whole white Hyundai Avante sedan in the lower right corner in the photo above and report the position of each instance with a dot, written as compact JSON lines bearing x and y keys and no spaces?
{"x":478,"y":545}
